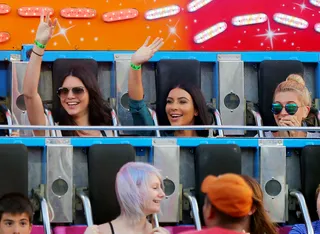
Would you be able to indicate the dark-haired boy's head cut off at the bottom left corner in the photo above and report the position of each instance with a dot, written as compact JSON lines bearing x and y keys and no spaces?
{"x":16,"y":214}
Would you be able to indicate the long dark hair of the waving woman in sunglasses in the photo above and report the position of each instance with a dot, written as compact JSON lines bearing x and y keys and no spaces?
{"x":99,"y":110}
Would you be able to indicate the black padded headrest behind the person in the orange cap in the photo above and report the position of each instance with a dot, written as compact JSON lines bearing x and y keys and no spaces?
{"x":215,"y":160}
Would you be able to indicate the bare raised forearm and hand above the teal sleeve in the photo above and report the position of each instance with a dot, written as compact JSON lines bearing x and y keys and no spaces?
{"x":142,"y":55}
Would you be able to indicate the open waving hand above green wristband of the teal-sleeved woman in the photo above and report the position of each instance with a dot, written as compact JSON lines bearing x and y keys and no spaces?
{"x":145,"y":52}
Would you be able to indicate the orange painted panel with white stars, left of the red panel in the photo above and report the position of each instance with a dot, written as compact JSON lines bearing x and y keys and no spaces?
{"x":94,"y":33}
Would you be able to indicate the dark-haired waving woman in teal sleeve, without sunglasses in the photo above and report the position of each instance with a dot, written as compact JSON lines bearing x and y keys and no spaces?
{"x":185,"y":102}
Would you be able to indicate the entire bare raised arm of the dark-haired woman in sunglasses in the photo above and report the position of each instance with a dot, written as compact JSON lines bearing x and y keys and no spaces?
{"x":32,"y":98}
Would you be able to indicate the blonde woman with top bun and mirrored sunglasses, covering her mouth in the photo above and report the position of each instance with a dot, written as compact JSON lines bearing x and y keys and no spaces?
{"x":291,"y":106}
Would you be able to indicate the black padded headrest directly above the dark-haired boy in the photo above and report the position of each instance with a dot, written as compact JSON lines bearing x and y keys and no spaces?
{"x":13,"y":169}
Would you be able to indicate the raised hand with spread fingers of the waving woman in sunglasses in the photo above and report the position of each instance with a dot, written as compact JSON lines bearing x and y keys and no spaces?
{"x":45,"y":28}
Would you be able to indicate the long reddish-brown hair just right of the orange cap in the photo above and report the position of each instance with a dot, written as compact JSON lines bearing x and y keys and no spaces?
{"x":260,"y":221}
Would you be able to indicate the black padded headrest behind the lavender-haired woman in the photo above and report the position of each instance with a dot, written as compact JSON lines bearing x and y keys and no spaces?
{"x":104,"y":162}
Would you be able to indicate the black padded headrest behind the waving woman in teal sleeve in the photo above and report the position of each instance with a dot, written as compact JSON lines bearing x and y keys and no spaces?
{"x":171,"y":73}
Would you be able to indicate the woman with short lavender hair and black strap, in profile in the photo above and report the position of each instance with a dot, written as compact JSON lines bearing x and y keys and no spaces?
{"x":139,"y":192}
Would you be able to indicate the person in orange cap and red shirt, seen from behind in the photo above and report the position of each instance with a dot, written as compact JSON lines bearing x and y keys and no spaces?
{"x":227,"y":206}
